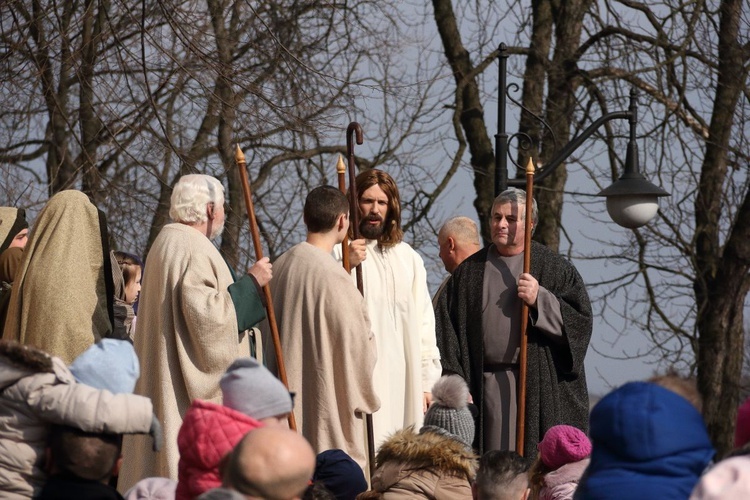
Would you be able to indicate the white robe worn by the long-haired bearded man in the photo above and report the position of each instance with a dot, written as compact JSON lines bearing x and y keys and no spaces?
{"x":403,"y":321}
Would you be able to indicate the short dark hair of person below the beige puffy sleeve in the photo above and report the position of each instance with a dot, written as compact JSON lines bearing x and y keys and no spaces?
{"x":84,"y":455}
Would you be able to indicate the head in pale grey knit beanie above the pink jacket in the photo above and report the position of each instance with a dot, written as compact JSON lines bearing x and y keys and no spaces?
{"x":248,"y":387}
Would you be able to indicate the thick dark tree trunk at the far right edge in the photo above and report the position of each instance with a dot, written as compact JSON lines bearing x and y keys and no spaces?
{"x":722,"y":284}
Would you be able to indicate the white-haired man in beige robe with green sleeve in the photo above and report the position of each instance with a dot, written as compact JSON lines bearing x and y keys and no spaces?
{"x":191,"y":320}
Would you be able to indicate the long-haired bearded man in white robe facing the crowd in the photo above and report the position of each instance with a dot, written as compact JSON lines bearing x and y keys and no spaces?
{"x":399,"y":305}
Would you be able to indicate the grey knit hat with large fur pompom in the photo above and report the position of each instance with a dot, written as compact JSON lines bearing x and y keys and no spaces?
{"x":449,"y":414}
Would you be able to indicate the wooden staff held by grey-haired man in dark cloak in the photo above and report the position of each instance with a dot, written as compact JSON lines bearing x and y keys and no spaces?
{"x":521,"y":420}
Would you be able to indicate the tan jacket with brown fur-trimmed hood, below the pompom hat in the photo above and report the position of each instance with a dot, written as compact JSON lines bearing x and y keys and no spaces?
{"x":426,"y":465}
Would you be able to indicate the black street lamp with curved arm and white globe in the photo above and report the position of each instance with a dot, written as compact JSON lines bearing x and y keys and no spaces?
{"x":631,"y":200}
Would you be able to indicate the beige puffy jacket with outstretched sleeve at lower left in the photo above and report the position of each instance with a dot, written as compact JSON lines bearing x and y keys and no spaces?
{"x":37,"y":390}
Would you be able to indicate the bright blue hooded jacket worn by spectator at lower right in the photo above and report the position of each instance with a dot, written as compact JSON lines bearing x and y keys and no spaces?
{"x":648,"y":442}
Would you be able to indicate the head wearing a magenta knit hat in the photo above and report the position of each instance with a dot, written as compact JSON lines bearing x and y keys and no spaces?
{"x":561,"y":445}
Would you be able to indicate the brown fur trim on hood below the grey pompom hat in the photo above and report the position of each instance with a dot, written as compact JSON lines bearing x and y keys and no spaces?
{"x":428,"y":450}
